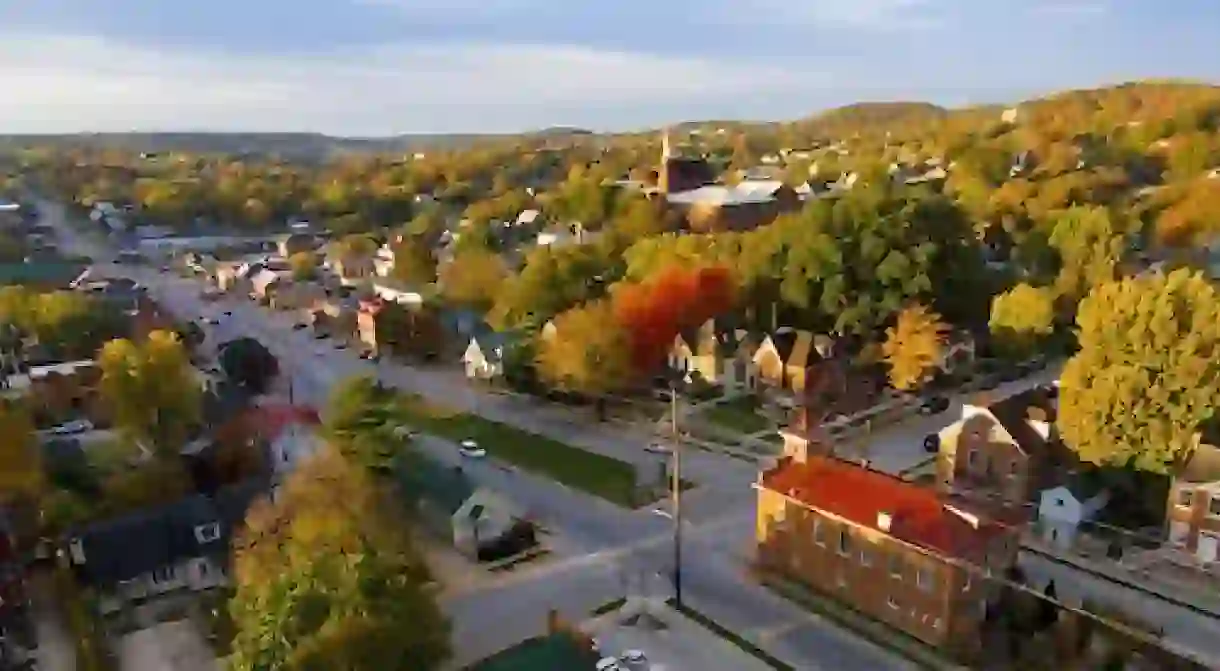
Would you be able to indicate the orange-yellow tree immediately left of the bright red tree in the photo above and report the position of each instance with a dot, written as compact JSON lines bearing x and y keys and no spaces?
{"x":592,"y":358}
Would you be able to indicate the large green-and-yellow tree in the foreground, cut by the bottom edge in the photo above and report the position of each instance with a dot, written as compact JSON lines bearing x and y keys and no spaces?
{"x":326,"y":578}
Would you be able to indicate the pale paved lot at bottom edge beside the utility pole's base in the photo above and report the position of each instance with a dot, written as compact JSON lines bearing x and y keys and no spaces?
{"x":681,"y":645}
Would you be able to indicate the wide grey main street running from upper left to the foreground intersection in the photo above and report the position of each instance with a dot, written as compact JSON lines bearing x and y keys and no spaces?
{"x":597,"y":544}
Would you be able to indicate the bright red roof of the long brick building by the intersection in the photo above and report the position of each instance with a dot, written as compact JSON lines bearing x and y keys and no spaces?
{"x":918,"y":515}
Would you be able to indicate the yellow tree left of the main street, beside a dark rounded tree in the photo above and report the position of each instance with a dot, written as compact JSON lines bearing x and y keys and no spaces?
{"x":152,"y":390}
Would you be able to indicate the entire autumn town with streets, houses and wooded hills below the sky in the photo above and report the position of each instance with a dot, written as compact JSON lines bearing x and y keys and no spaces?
{"x":890,"y":387}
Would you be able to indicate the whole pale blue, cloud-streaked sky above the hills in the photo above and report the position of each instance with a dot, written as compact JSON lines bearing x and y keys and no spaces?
{"x":381,"y":68}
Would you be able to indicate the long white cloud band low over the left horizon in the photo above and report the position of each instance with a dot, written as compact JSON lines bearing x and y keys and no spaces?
{"x":82,"y":84}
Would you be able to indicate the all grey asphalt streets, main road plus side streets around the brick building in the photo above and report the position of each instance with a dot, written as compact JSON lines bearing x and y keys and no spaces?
{"x":602,"y":550}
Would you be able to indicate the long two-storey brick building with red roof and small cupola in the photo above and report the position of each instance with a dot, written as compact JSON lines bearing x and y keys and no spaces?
{"x":888,"y":548}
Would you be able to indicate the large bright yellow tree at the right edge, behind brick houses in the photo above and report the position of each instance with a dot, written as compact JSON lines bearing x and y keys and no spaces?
{"x":1147,"y":375}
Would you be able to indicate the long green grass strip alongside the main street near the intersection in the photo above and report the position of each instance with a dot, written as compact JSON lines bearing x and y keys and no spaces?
{"x":603,"y":476}
